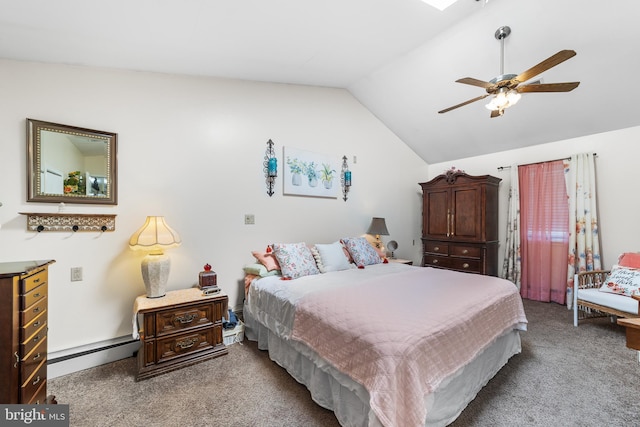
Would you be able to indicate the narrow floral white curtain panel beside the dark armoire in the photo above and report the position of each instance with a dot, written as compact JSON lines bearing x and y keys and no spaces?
{"x":511,"y":267}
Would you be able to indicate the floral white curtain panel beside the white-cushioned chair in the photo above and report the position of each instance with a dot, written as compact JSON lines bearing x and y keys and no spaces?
{"x":584,"y":241}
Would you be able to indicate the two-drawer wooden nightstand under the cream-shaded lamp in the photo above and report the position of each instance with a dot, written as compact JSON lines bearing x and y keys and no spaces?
{"x":182,"y":328}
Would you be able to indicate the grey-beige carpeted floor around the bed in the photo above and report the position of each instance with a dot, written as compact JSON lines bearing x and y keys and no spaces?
{"x":565,"y":376}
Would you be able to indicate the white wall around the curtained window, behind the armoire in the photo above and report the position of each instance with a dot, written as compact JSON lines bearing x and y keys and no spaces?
{"x":616,"y":169}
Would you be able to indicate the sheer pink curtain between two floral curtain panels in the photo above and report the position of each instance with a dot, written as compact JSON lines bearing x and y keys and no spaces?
{"x":544,"y":220}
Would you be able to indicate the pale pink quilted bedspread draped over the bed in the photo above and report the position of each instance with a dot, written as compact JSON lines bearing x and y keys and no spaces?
{"x":400,"y":338}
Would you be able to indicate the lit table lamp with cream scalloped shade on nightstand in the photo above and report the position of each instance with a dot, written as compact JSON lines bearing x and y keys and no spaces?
{"x":154,"y":237}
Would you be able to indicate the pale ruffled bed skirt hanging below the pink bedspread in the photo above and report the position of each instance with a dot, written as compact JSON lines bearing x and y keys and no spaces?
{"x":349,"y":400}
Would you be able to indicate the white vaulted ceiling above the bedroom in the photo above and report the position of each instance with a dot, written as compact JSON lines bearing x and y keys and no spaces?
{"x":399,"y":58}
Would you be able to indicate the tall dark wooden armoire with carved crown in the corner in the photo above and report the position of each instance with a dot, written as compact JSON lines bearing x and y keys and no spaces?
{"x":460,"y":222}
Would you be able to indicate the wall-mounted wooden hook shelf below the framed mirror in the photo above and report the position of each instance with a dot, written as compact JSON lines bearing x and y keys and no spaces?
{"x":40,"y":221}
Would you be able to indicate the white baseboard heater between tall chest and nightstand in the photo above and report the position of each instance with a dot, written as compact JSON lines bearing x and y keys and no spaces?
{"x":76,"y":359}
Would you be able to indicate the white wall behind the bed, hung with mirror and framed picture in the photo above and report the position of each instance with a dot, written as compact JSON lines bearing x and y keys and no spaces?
{"x":191,"y":149}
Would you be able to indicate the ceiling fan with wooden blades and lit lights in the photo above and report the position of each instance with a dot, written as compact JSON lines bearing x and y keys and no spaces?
{"x":506,"y":88}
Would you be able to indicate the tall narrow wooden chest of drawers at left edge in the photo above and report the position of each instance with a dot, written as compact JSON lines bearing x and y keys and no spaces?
{"x":23,"y":332}
